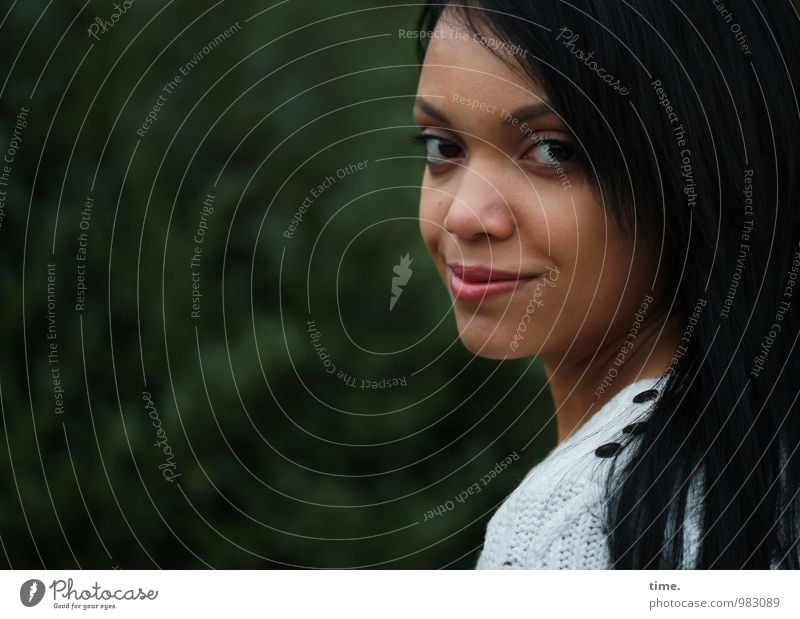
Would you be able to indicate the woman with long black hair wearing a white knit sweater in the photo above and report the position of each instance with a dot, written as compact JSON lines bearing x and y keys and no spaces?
{"x":613,"y":187}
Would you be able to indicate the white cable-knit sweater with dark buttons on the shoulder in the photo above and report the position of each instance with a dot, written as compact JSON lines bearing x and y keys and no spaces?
{"x":555,"y":518}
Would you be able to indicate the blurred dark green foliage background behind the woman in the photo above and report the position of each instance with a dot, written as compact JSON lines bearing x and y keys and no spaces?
{"x":281,"y":463}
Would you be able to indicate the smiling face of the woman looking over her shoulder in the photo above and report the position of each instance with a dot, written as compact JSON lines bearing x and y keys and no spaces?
{"x":502,"y":196}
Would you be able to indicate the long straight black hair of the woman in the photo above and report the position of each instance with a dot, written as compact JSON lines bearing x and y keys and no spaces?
{"x":688,"y":120}
